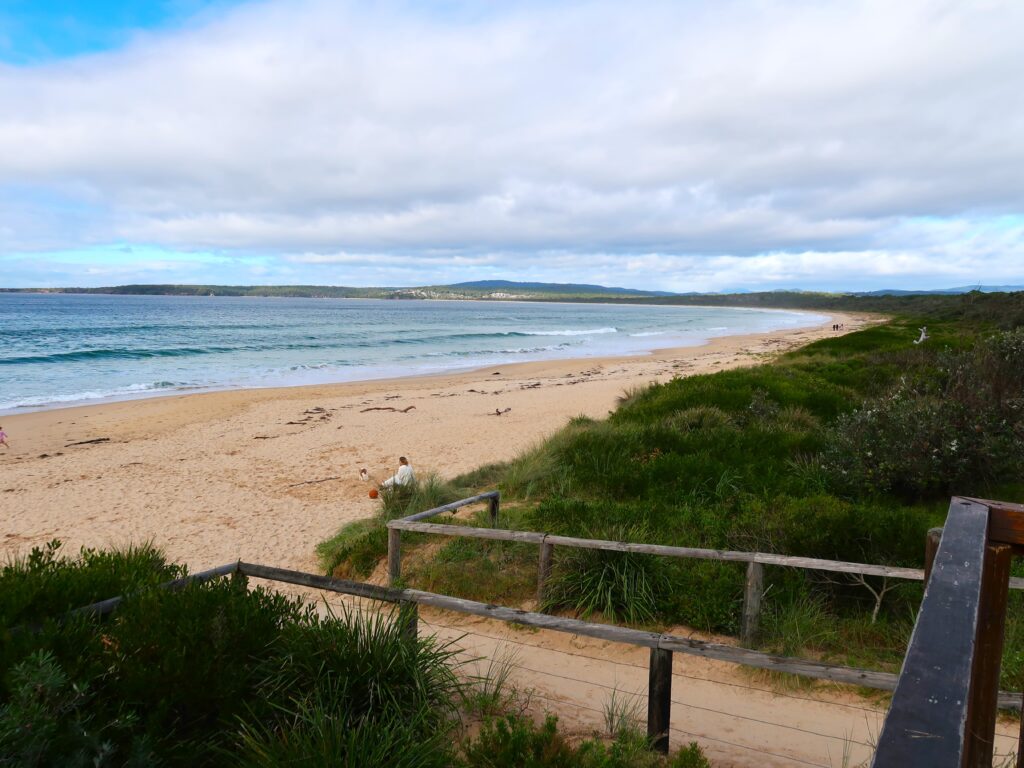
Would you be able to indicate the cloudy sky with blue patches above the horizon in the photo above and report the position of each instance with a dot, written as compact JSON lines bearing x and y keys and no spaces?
{"x":684,"y":146}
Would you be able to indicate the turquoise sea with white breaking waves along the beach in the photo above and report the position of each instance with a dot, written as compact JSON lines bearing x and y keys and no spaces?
{"x":60,"y":350}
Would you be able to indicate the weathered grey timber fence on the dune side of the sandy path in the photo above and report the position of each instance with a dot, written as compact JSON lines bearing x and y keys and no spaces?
{"x":755,"y":570}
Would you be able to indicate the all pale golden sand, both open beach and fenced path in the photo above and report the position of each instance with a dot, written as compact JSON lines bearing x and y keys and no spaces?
{"x":221,"y":477}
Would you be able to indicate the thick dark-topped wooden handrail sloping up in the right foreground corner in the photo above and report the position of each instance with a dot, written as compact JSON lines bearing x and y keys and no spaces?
{"x":945,"y":709}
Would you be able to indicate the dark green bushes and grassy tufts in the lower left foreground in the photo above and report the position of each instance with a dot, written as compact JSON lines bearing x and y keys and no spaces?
{"x":216,"y":673}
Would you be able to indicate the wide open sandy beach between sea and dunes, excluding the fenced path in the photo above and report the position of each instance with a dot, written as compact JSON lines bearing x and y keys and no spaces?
{"x":212,"y":478}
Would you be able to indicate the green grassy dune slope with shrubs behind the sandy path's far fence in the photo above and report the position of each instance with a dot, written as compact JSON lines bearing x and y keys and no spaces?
{"x":783,"y":457}
